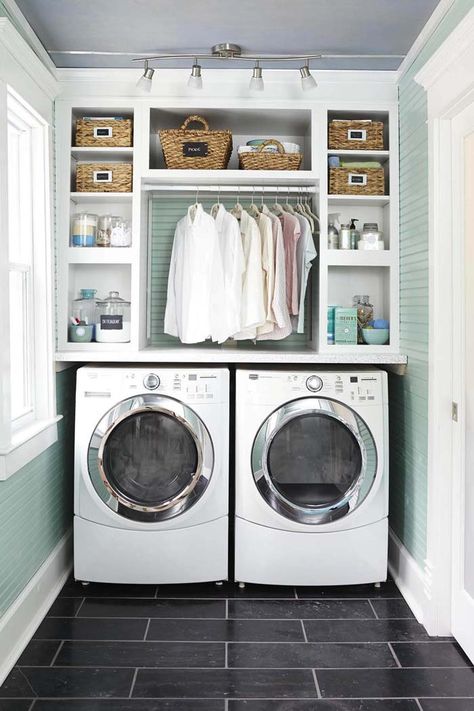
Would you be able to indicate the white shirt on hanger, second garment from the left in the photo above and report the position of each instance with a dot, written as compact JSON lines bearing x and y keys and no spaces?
{"x":233,"y":264}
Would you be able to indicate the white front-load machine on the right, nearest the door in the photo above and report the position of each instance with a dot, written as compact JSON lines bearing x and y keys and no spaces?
{"x":311,"y":477}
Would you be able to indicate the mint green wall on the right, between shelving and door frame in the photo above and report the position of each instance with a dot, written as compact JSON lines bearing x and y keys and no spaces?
{"x":409,"y":393}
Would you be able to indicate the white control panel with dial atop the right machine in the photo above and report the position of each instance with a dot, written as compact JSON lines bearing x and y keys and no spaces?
{"x":352,"y":387}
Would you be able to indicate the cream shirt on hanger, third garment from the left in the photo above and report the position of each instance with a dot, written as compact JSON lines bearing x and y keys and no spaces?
{"x":252,"y":304}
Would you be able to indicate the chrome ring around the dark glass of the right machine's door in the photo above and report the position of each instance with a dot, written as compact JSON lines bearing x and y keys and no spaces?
{"x":317,"y":513}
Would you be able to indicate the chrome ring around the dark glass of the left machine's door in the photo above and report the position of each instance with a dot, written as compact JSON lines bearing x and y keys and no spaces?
{"x":151,"y":402}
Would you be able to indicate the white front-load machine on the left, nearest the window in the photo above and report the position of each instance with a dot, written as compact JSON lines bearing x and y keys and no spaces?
{"x":151,"y":474}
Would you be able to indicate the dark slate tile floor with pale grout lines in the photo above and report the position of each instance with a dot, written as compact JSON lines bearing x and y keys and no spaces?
{"x":209,"y":648}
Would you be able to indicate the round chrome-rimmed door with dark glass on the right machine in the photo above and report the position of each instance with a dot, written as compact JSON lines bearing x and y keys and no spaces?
{"x":314,"y":460}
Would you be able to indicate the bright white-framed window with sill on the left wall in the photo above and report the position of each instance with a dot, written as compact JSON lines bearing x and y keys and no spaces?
{"x":27,"y":418}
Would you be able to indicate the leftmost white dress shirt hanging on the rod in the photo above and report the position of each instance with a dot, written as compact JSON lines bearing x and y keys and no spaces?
{"x":195,"y":300}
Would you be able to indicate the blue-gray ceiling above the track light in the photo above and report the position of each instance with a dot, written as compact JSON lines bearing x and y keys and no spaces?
{"x":259,"y":26}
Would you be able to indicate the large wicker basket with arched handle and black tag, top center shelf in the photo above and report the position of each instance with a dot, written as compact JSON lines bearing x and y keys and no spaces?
{"x":196,"y":149}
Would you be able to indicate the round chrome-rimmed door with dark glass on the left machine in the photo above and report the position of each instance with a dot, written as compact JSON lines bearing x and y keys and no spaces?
{"x":150,"y":458}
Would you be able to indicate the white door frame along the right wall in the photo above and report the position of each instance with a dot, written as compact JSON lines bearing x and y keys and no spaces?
{"x":448,"y":80}
